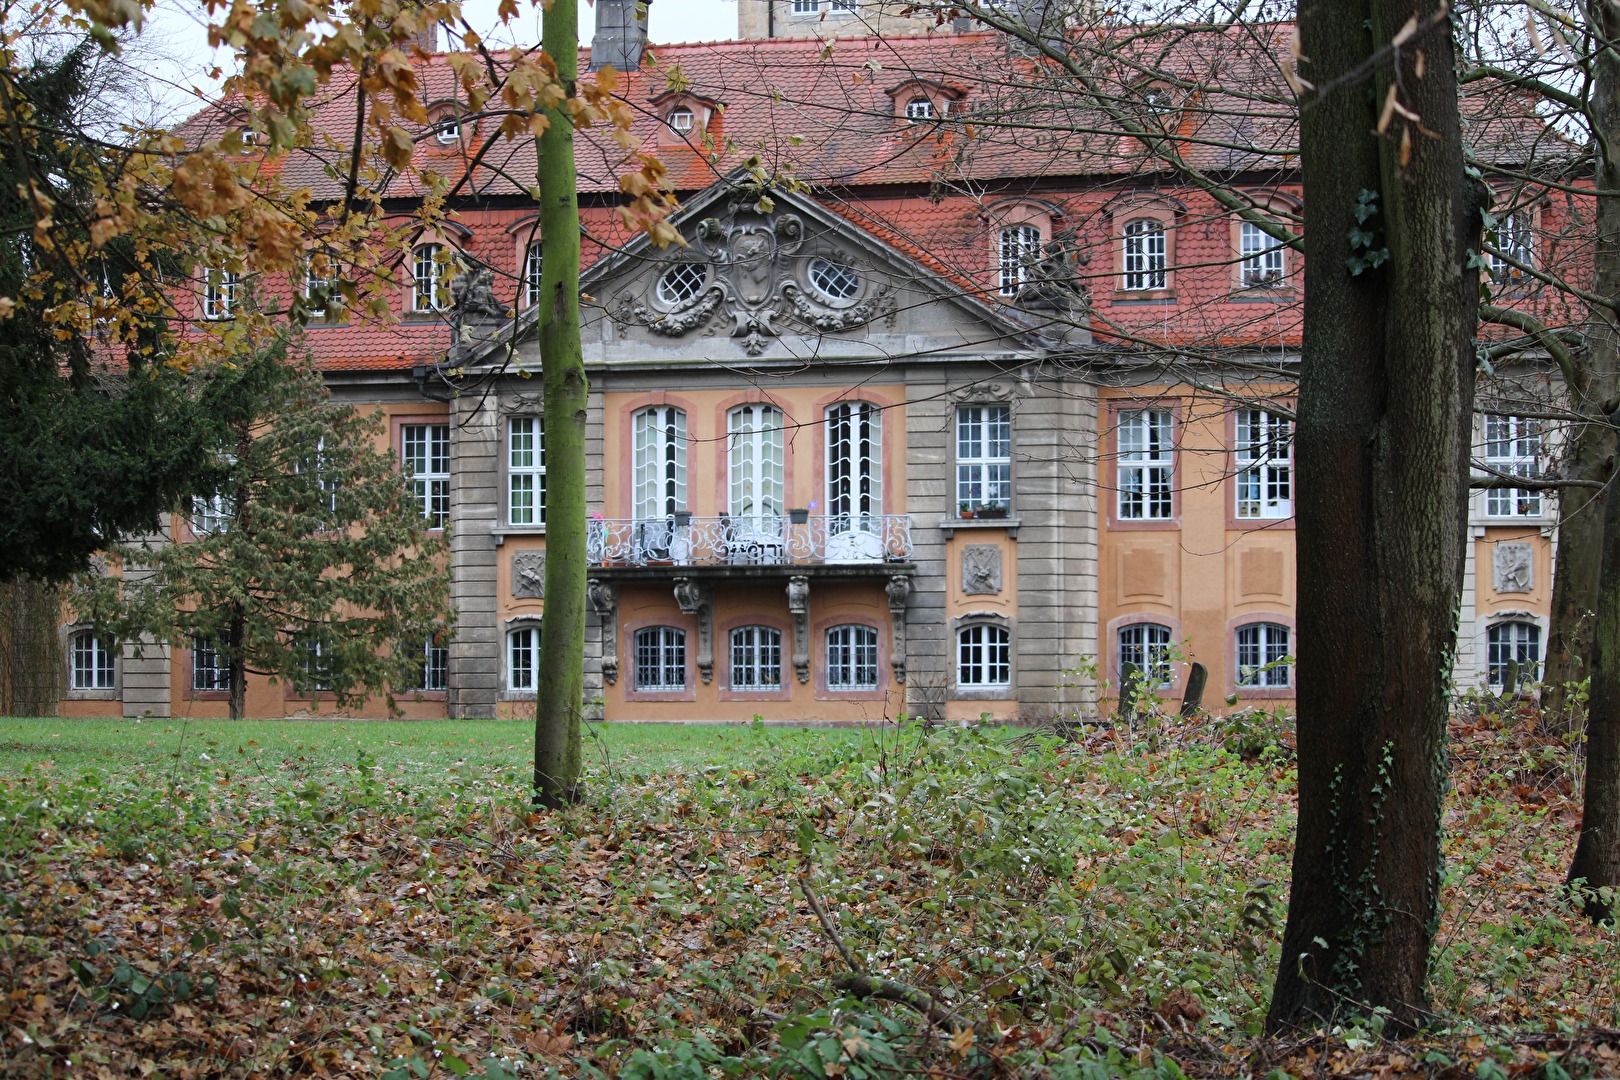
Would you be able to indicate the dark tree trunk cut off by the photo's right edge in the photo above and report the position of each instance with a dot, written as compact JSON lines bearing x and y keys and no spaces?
{"x":1598,"y":854}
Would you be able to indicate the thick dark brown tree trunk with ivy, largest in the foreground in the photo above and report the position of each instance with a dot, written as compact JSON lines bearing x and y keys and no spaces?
{"x":1383,"y":443}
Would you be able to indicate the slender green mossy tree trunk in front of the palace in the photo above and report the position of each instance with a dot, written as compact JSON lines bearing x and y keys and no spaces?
{"x":563,"y":370}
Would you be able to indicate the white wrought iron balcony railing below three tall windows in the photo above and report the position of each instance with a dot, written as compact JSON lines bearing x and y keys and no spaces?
{"x":751,"y":542}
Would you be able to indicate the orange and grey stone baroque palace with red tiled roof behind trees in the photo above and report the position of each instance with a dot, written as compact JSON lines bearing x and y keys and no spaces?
{"x":884,"y":443}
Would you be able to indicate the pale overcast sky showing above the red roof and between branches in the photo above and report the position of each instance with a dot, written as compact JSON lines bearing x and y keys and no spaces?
{"x":182,"y":59}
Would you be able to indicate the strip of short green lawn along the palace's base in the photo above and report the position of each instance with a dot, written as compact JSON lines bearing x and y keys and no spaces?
{"x":72,"y":746}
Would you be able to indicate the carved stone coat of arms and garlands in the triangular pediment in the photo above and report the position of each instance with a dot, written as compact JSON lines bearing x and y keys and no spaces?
{"x":756,"y":276}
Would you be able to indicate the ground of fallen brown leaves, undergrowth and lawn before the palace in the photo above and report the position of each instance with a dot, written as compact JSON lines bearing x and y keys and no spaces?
{"x":323,"y":899}
